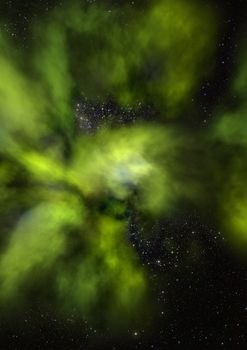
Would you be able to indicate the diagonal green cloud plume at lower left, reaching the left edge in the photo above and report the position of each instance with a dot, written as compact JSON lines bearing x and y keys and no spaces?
{"x":38,"y":239}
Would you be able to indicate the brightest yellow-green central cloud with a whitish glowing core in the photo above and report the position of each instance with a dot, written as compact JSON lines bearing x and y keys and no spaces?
{"x":143,"y":156}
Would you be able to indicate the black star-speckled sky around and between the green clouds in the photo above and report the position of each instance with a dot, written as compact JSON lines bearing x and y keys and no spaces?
{"x":198,"y":285}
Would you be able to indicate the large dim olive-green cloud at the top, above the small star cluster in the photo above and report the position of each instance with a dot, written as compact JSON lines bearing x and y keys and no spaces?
{"x":148,"y":55}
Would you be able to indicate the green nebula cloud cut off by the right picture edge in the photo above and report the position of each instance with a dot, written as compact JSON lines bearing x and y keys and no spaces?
{"x":230,"y":132}
